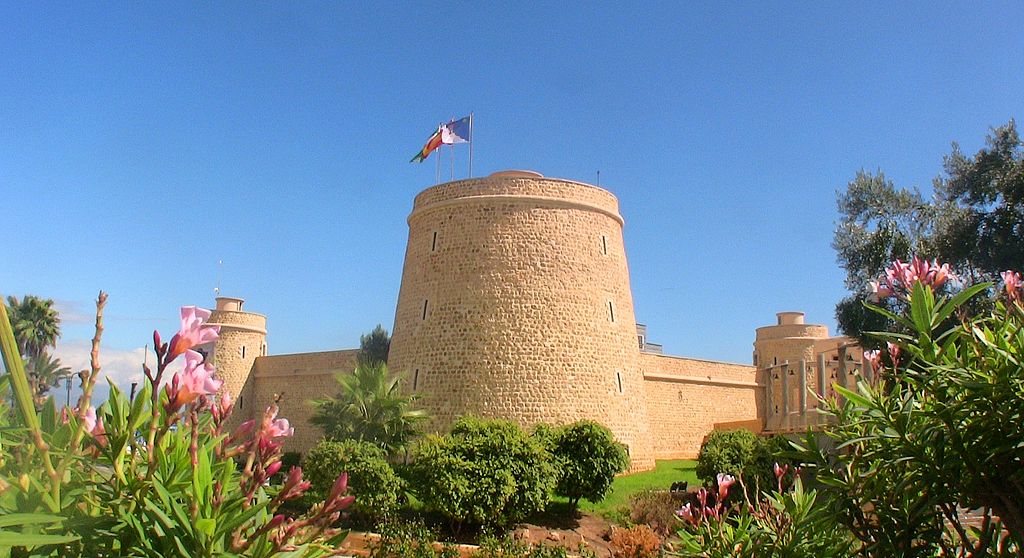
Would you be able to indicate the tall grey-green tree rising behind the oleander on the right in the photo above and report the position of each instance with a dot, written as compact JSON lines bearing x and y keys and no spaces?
{"x":974,"y":223}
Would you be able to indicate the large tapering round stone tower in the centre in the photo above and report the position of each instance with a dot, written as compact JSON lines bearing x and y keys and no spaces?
{"x":516,"y":304}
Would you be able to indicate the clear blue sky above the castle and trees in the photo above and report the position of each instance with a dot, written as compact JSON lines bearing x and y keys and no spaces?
{"x":140,"y":145}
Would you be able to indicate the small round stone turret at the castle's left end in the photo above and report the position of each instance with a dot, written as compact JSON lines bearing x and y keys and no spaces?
{"x":243,"y":338}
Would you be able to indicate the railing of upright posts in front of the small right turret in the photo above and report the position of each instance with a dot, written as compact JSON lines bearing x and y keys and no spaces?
{"x":795,"y":392}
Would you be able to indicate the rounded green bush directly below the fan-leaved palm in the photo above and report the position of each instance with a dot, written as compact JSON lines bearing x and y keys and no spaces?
{"x":371,"y":479}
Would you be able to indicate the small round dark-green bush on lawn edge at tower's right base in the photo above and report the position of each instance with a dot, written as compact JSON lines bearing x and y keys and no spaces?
{"x":588,"y":459}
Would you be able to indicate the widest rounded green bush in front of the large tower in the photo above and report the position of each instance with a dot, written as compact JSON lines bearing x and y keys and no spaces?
{"x":485,"y":473}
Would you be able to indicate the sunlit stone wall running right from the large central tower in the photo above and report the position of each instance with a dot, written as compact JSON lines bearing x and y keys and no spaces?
{"x":688,"y":399}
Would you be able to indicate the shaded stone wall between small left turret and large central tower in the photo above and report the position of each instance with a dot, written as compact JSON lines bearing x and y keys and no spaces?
{"x":297,"y":379}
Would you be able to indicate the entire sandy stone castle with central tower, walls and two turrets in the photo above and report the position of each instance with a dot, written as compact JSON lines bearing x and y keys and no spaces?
{"x":516,"y":303}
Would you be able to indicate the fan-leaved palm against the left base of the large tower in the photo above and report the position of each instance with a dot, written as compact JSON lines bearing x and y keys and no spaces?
{"x":370,"y":408}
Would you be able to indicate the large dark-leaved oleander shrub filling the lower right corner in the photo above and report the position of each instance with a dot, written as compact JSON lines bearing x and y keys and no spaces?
{"x":941,"y":432}
